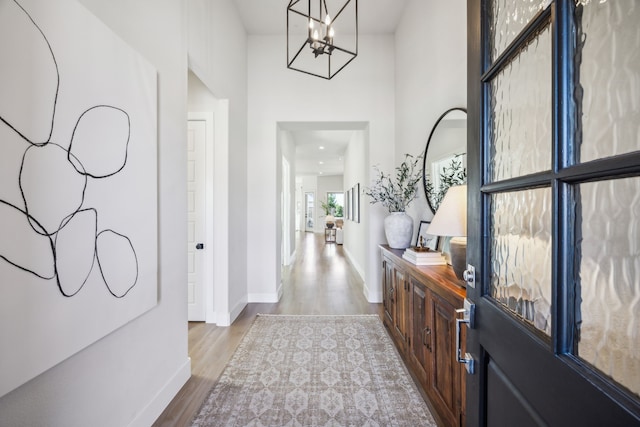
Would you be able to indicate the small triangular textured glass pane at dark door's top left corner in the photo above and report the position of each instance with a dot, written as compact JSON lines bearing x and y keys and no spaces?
{"x":508,"y":18}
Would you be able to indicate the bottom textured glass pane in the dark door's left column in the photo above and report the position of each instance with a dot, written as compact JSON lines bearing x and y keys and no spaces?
{"x":521,"y":254}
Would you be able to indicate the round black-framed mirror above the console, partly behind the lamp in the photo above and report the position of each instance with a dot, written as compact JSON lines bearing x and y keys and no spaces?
{"x":445,"y":158}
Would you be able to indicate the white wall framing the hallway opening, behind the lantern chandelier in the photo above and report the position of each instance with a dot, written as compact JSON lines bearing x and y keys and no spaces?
{"x":362,"y":92}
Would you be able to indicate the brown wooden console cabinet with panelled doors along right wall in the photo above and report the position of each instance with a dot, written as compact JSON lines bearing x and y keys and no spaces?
{"x":419,"y":311}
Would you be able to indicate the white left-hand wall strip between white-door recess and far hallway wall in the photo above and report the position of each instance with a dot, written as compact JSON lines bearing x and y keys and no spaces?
{"x":217,"y":42}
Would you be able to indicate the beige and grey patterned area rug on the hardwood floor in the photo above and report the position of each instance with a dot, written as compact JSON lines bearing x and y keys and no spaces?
{"x":315,"y":371}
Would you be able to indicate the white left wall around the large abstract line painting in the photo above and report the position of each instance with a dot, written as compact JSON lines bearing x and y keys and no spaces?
{"x":129,"y":376}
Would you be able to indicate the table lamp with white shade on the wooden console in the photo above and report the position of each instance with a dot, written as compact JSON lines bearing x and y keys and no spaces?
{"x":451,"y":220}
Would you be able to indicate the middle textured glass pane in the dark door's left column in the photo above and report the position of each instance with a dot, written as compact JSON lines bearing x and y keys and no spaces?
{"x":520,"y":128}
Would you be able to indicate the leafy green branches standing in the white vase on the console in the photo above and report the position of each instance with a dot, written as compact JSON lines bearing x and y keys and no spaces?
{"x":396,"y":194}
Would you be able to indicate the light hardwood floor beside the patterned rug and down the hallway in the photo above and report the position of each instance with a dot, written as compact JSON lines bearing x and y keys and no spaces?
{"x":321,"y":281}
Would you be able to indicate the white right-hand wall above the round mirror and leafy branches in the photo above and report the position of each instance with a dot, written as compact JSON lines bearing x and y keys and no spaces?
{"x":431,"y":77}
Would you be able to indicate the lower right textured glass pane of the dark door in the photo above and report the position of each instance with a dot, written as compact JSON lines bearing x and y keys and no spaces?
{"x":608,"y":231}
